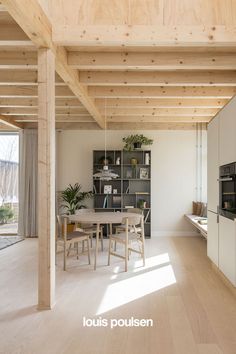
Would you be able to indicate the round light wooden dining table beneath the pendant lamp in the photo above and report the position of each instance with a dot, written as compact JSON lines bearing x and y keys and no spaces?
{"x":99,"y":218}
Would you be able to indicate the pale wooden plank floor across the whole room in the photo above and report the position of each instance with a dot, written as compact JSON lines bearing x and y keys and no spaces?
{"x":192,"y":310}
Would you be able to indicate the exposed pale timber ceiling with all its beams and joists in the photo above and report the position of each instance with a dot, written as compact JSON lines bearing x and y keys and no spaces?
{"x":157,"y":65}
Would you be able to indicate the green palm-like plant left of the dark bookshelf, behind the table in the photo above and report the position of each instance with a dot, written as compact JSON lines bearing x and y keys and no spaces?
{"x":72,"y":198}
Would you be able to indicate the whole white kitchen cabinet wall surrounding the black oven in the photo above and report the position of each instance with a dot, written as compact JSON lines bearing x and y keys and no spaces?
{"x":221,"y":235}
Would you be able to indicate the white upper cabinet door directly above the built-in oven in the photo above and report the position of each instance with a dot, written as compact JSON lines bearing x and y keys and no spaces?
{"x":227,"y":133}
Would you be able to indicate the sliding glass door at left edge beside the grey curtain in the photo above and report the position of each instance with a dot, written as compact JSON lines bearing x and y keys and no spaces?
{"x":9,"y":183}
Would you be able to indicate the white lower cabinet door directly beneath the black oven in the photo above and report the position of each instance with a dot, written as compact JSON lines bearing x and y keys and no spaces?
{"x":227,"y":248}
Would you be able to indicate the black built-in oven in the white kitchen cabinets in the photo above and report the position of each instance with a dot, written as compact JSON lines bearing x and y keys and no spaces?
{"x":227,"y":180}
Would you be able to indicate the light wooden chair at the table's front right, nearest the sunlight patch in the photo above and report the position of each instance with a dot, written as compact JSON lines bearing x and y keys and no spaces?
{"x":127,"y":239}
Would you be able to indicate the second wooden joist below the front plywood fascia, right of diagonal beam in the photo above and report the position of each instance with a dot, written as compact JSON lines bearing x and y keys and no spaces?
{"x":161,"y":78}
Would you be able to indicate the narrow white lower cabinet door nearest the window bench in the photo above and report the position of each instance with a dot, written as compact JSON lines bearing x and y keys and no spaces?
{"x":213,"y":238}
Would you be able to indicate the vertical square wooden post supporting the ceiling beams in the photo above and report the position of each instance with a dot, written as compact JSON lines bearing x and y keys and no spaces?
{"x":46,"y":178}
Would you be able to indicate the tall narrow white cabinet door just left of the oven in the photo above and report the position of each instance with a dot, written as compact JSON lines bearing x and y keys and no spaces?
{"x":213,"y":164}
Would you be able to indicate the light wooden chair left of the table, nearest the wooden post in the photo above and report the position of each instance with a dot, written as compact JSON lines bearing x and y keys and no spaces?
{"x":71,"y":238}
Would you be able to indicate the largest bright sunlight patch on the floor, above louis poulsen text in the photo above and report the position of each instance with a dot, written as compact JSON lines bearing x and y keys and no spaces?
{"x":124,"y":291}
